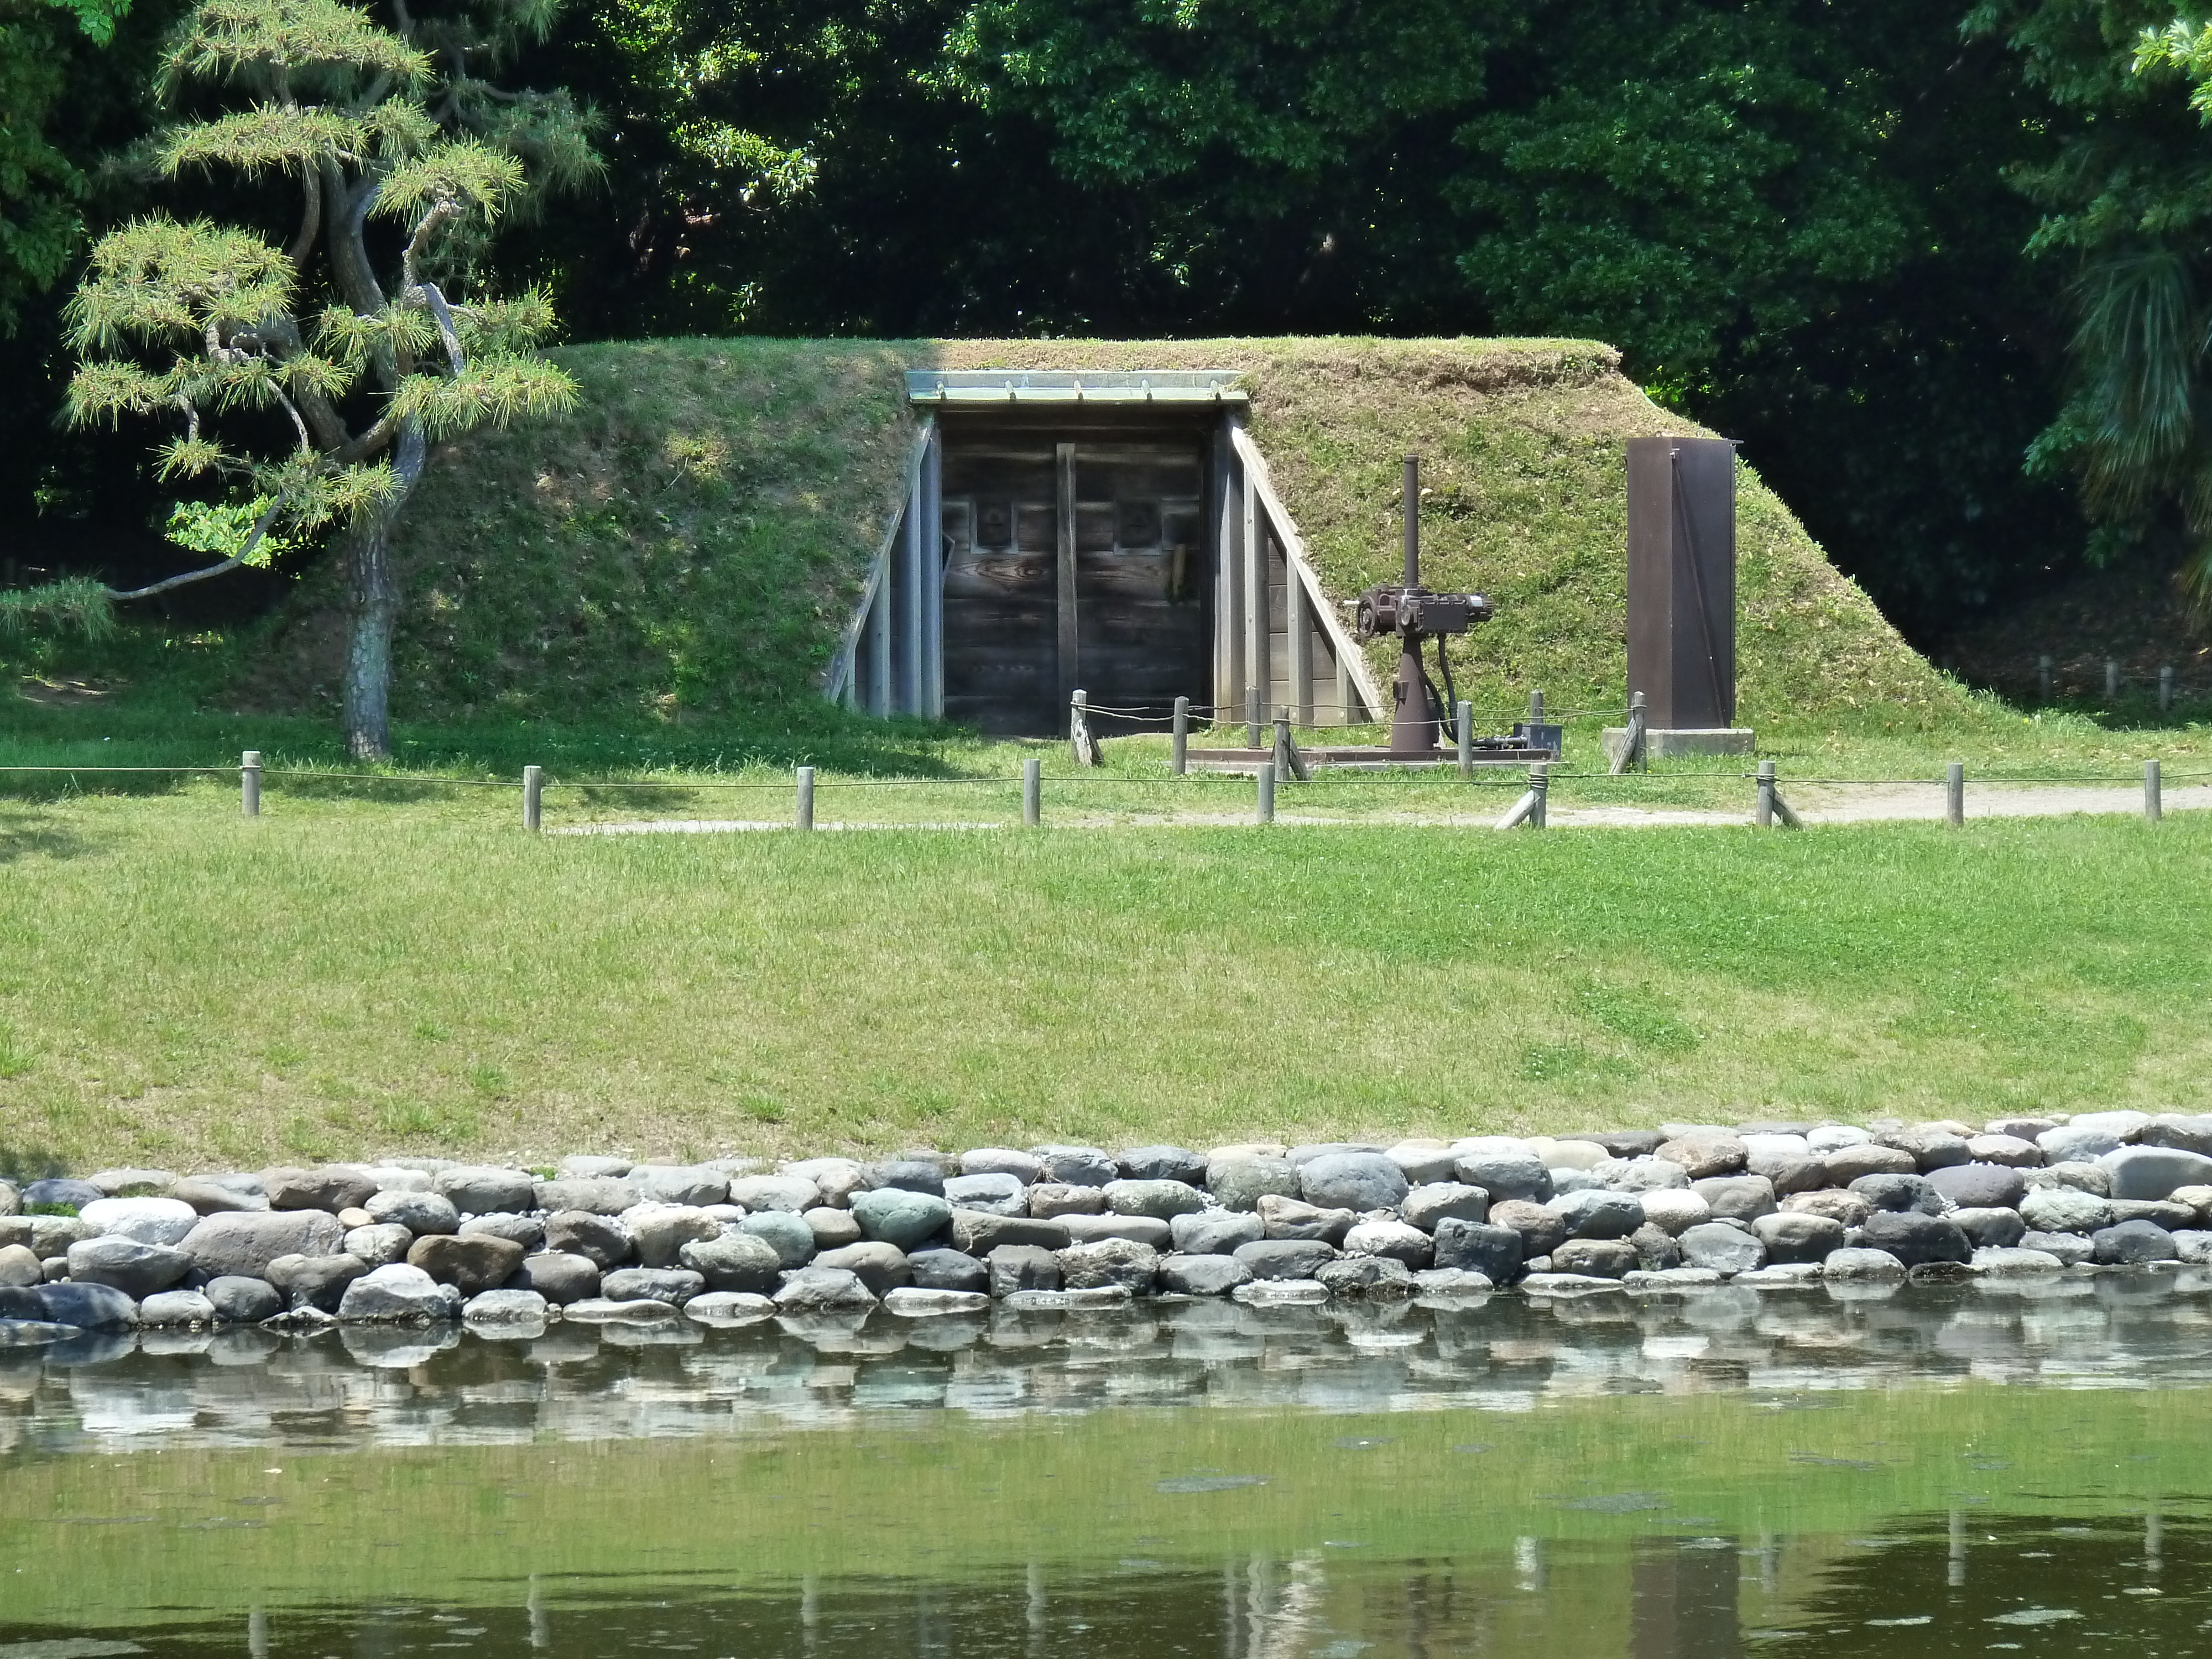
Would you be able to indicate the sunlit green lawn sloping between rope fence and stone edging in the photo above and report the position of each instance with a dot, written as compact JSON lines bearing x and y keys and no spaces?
{"x":404,"y":970}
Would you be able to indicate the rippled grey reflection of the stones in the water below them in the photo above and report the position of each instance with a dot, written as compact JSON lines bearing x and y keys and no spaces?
{"x":1507,"y":1353}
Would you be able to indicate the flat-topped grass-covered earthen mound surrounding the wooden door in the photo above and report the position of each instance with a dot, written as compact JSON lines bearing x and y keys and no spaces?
{"x":696,"y":536}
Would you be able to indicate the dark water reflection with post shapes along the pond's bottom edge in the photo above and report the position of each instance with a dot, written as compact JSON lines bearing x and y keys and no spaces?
{"x":1930,"y":1585}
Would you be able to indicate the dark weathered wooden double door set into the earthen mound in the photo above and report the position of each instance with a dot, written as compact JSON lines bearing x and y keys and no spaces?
{"x":1074,"y":561}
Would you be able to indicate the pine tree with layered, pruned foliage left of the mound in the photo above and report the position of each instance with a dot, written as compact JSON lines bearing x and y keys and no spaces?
{"x":313,"y":379}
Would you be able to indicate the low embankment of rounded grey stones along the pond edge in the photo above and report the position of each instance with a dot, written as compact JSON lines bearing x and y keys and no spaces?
{"x":1076,"y":1227}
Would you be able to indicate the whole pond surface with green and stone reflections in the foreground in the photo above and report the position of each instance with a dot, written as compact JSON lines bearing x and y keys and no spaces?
{"x":1687,"y":1477}
